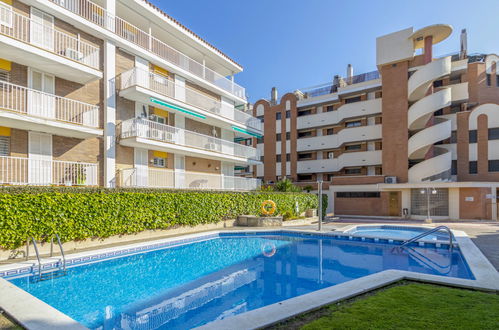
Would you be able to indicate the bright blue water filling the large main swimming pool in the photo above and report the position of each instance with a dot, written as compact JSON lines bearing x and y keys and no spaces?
{"x":186,"y":286}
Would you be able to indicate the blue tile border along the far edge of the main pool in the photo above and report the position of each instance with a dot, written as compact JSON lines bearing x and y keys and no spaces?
{"x":344,"y":236}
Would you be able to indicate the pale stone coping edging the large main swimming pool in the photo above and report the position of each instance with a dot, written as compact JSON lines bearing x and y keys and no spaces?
{"x":486,"y":278}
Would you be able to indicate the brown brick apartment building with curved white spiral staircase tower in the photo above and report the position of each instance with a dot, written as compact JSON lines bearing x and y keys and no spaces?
{"x":418,"y":137}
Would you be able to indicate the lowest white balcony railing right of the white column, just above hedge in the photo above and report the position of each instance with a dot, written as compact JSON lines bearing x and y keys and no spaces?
{"x":165,"y":178}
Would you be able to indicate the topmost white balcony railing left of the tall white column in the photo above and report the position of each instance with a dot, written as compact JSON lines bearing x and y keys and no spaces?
{"x":25,"y":29}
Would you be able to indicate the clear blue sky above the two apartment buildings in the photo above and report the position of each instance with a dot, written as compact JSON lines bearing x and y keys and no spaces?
{"x":293,"y":44}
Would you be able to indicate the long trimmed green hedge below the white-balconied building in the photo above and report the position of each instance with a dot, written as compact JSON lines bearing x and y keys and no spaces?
{"x":80,"y":213}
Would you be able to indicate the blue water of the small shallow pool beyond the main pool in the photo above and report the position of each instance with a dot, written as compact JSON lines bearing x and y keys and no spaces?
{"x":402,"y":232}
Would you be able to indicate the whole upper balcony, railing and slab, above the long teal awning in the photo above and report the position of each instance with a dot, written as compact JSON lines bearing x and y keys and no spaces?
{"x":140,"y":85}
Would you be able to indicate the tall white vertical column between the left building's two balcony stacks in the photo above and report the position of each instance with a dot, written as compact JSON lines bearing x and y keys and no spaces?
{"x":109,"y":106}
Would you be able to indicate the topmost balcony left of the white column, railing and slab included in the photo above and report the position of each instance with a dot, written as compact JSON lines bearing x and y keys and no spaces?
{"x":32,"y":44}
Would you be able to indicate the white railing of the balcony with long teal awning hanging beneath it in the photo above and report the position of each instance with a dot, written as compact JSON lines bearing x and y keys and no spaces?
{"x":167,"y":87}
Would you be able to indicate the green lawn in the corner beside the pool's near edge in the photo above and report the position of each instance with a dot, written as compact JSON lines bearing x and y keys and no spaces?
{"x":408,"y":306}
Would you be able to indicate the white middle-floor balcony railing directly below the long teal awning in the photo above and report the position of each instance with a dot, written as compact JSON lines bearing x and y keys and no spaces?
{"x":140,"y":127}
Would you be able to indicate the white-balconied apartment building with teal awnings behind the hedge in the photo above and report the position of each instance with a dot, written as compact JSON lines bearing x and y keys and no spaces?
{"x":116,"y":93}
